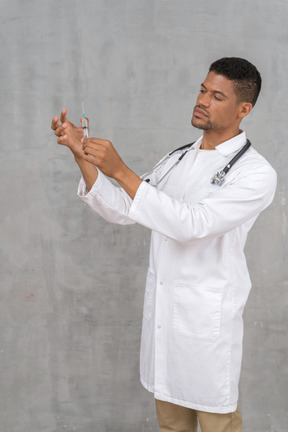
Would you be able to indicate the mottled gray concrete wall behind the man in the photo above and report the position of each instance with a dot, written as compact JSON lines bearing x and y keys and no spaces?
{"x":71,"y":284}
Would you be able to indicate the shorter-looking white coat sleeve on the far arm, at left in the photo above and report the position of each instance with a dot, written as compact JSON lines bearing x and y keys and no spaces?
{"x":110,"y":202}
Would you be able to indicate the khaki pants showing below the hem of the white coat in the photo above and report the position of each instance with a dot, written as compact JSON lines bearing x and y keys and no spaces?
{"x":175,"y":418}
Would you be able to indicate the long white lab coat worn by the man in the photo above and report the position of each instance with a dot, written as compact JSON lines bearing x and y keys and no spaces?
{"x":197,"y":282}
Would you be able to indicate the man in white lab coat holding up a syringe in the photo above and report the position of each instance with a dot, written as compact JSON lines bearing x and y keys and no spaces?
{"x":197,"y":282}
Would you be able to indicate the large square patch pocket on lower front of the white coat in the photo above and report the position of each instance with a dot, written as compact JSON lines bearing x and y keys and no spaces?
{"x":197,"y":311}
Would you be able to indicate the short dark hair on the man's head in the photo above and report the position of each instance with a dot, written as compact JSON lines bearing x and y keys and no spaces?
{"x":247,"y":79}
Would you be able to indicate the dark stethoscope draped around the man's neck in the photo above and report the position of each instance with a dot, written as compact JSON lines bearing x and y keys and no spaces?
{"x":217,"y":179}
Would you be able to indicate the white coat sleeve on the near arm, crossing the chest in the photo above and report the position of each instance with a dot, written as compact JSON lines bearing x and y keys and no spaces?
{"x":223,"y":210}
